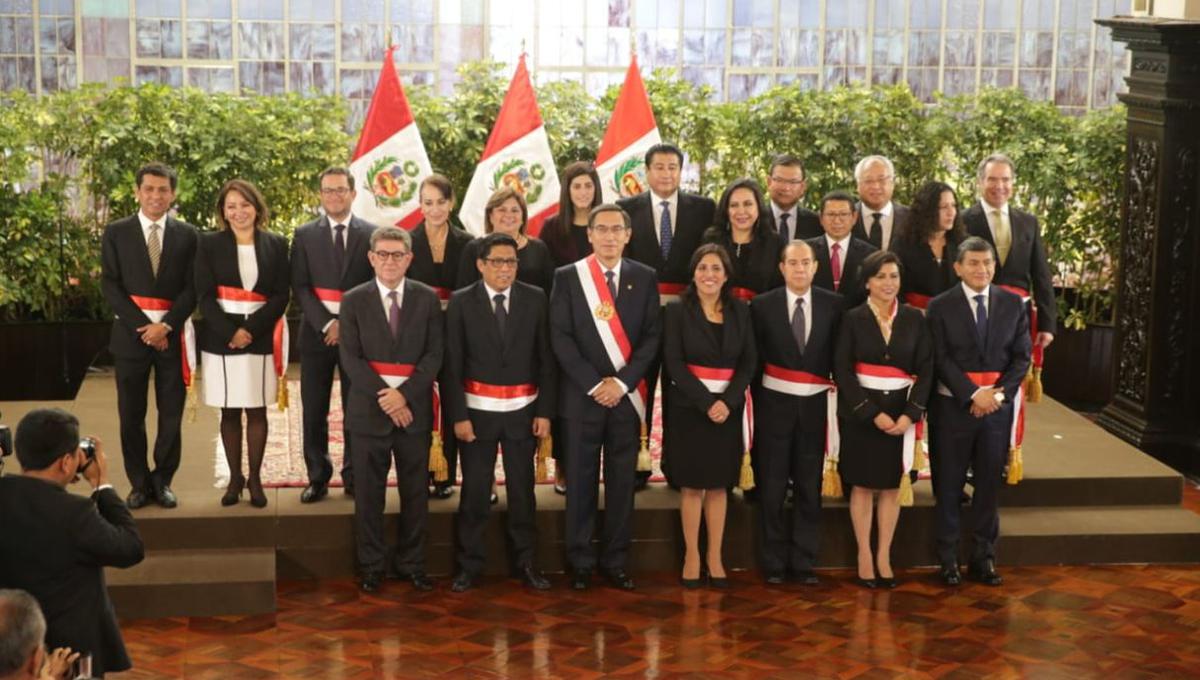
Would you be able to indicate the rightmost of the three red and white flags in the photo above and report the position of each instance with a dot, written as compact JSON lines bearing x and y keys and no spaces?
{"x":632,"y":131}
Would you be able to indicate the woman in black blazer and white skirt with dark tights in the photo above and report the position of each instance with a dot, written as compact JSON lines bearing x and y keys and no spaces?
{"x":242,"y":290}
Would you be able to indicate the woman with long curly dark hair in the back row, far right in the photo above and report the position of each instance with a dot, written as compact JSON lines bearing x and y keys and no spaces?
{"x":928,"y":243}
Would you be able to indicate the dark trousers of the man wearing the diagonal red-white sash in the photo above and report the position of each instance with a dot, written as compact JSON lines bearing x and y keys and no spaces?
{"x":617,"y":431}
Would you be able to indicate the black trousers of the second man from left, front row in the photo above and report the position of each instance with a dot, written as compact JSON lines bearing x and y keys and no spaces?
{"x":475,"y":506}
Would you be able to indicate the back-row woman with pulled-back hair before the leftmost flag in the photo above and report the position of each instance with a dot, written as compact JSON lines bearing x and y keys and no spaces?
{"x":437,"y":243}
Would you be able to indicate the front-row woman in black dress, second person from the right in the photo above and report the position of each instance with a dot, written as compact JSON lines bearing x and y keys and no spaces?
{"x":885,"y":370}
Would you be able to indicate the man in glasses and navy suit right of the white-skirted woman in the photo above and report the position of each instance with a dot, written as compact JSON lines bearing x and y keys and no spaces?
{"x":329,"y":257}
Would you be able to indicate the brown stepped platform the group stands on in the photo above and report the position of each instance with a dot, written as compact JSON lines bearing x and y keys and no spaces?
{"x":1088,"y":498}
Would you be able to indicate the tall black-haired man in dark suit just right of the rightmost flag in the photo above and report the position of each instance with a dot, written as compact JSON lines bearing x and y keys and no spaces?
{"x":668,"y":227}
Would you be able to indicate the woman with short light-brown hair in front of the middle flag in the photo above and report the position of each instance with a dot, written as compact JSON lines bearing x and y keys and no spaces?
{"x":508,"y":214}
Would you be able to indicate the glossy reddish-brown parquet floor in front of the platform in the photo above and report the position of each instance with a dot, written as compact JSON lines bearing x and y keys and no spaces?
{"x":1070,"y":623}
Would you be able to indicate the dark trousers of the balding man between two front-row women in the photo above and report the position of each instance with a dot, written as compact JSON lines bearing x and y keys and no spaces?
{"x":800,"y":456}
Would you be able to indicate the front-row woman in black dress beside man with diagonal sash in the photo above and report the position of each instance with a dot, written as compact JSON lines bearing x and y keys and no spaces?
{"x":709,"y":357}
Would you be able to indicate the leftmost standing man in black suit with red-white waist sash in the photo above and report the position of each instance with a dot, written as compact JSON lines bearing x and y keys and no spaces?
{"x":147,"y":279}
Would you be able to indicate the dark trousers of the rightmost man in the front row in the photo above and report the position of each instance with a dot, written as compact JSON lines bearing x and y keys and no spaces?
{"x":961,"y":442}
